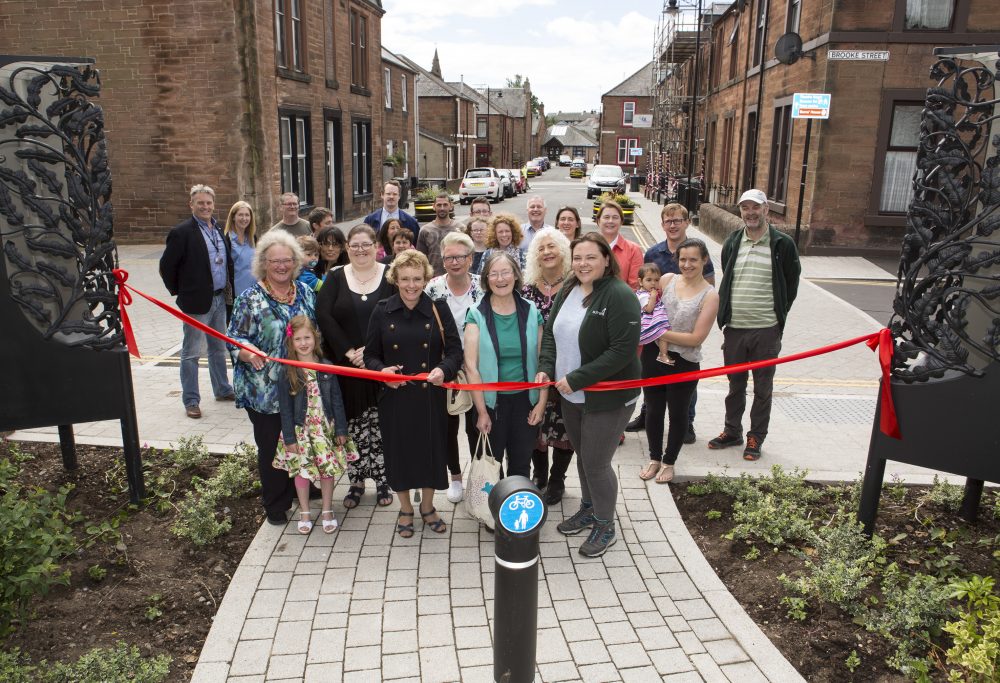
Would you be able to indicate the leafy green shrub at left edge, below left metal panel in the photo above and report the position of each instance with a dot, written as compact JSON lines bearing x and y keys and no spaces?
{"x":36,"y":536}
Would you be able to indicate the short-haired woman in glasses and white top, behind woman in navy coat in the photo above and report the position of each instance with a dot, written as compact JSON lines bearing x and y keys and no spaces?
{"x":461,"y":292}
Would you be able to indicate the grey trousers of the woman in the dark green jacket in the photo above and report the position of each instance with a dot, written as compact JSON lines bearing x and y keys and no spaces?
{"x":595,"y":439}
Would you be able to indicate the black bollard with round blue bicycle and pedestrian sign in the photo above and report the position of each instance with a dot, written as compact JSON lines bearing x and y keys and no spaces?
{"x":518,"y":515}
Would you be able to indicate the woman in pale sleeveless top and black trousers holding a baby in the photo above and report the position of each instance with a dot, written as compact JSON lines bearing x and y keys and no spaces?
{"x":691,"y":304}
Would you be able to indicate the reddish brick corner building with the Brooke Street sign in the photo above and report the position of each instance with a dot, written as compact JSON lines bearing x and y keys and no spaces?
{"x":873,"y":58}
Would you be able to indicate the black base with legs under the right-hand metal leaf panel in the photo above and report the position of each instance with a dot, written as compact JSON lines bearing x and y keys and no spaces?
{"x":951,"y":425}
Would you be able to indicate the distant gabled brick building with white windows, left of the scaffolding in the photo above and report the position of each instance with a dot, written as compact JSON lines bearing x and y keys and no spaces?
{"x":620,"y":130}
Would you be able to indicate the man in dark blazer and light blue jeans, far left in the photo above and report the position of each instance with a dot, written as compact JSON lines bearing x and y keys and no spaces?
{"x":197,"y":267}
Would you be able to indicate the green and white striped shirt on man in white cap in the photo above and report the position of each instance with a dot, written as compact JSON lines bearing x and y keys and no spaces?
{"x":753,"y":293}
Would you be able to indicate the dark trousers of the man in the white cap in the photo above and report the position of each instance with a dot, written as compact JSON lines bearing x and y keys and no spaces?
{"x":744,"y":346}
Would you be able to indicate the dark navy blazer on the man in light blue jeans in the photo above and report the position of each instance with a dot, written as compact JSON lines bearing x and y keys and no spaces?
{"x":186,"y":269}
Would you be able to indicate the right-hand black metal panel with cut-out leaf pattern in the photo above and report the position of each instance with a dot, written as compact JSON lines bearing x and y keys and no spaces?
{"x":947,"y":305}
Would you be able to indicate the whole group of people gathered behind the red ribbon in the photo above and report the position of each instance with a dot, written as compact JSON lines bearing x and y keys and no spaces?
{"x":504,"y":300}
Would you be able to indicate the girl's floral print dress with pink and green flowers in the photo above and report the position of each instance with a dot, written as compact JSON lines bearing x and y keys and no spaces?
{"x":319,"y":455}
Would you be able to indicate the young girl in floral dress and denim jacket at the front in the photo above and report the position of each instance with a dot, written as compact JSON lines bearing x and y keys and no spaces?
{"x":314,"y":444}
